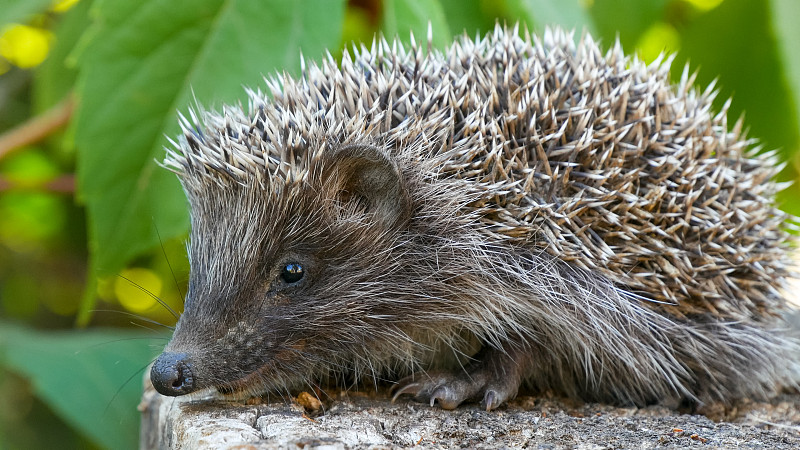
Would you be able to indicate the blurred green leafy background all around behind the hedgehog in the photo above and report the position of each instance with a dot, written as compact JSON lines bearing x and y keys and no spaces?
{"x":101,"y":253}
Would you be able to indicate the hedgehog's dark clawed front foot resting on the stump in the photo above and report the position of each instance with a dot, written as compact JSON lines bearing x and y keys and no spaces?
{"x":494,"y":377}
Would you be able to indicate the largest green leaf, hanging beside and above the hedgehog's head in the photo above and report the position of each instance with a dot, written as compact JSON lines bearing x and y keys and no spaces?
{"x":147,"y":59}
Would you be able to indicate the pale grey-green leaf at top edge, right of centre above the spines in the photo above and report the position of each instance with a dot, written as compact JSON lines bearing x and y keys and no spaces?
{"x":537,"y":14}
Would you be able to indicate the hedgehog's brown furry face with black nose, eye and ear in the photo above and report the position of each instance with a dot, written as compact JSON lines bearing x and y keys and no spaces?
{"x":274,"y":273}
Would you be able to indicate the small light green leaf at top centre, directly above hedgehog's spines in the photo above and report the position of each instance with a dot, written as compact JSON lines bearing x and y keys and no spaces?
{"x":403,"y":16}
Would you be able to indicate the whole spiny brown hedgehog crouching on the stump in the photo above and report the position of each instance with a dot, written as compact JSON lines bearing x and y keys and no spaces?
{"x":514,"y":211}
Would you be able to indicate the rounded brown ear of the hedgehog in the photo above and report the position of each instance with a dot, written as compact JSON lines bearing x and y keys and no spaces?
{"x":370,"y":178}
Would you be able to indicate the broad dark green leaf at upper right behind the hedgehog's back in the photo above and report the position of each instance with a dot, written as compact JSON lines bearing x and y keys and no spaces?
{"x":734,"y":43}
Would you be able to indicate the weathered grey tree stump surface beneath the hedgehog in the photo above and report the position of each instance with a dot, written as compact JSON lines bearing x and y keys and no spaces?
{"x":370,"y":420}
